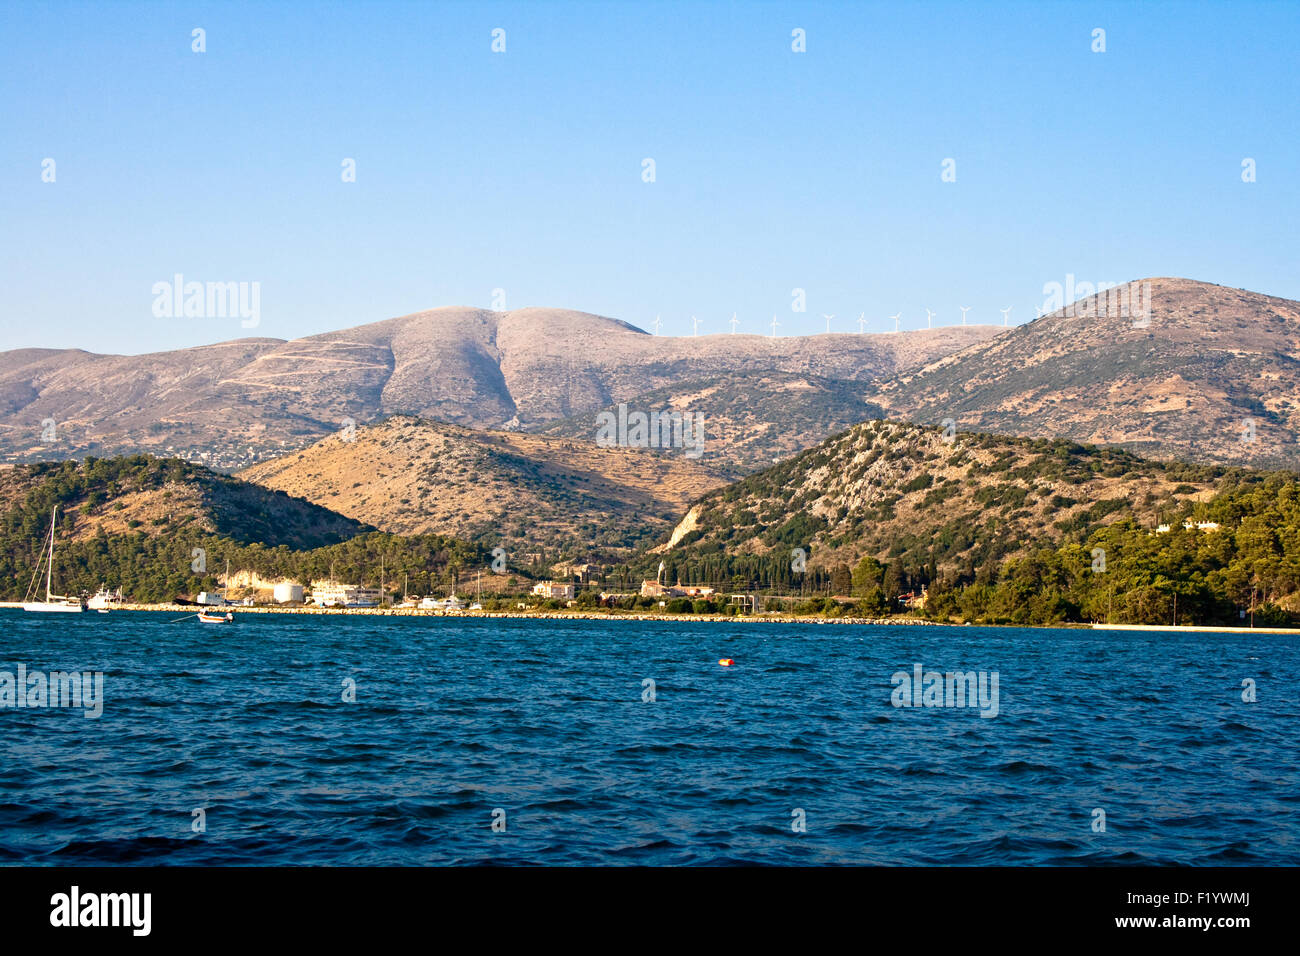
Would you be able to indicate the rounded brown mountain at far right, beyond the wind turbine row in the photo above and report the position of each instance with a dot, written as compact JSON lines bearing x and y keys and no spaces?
{"x":1211,"y":375}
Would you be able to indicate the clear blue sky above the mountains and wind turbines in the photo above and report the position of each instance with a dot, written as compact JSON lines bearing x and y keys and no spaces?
{"x":523,"y":171}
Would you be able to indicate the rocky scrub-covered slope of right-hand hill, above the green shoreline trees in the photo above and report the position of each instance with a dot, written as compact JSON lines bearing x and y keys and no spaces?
{"x":954,"y":503}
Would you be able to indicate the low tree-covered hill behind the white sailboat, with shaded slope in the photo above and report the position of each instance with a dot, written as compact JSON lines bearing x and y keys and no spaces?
{"x":138,"y":522}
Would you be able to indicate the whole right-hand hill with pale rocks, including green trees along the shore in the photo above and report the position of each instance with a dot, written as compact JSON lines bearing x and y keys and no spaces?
{"x":1003,"y":530}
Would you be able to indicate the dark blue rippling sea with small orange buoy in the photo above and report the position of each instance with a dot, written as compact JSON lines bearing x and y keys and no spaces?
{"x":543,"y":726}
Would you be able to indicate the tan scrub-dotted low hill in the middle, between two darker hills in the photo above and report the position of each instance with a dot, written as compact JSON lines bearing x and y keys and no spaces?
{"x":527,"y":492}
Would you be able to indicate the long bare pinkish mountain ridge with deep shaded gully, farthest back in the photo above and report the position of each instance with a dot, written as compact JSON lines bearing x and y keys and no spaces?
{"x":240,"y":403}
